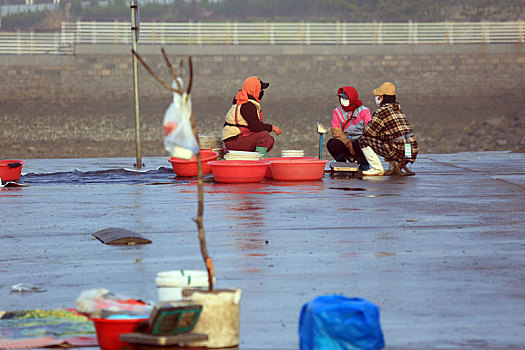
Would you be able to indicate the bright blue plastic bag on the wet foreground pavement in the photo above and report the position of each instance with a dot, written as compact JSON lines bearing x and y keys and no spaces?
{"x":336,"y":322}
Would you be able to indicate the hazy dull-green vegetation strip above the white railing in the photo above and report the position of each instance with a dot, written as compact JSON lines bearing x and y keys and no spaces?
{"x":286,"y":10}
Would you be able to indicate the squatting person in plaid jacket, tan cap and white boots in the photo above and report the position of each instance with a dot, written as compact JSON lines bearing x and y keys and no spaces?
{"x":388,"y":134}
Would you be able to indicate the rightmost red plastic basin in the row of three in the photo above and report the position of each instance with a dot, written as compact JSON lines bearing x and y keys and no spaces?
{"x":298,"y":169}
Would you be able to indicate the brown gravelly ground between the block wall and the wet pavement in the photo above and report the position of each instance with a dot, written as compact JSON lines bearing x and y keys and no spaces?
{"x":79,"y":129}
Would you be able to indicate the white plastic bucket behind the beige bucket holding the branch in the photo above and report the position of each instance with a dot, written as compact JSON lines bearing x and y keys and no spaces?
{"x":171,"y":283}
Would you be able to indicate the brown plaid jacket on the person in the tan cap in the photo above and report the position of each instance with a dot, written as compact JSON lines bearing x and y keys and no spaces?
{"x":387,"y":124}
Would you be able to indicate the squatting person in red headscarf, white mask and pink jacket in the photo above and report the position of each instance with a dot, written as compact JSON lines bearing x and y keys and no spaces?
{"x":348,"y":121}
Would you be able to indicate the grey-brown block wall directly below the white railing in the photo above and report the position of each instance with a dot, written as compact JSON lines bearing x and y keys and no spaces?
{"x":105,"y":71}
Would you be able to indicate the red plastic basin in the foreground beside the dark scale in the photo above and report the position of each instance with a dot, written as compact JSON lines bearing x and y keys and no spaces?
{"x":109,"y":331}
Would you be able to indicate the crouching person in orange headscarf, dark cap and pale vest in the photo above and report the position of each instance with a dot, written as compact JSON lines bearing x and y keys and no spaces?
{"x":244,"y":129}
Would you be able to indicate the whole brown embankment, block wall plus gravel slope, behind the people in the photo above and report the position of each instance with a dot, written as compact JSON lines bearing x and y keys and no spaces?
{"x":458,"y":97}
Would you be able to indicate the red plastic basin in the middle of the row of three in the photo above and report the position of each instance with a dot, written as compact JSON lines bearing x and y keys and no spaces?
{"x":236,"y":171}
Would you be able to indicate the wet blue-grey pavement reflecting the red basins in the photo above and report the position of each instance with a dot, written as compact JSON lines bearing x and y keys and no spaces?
{"x":442,"y":253}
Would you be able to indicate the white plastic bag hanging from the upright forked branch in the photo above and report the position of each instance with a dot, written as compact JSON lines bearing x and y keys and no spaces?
{"x":179,"y":139}
